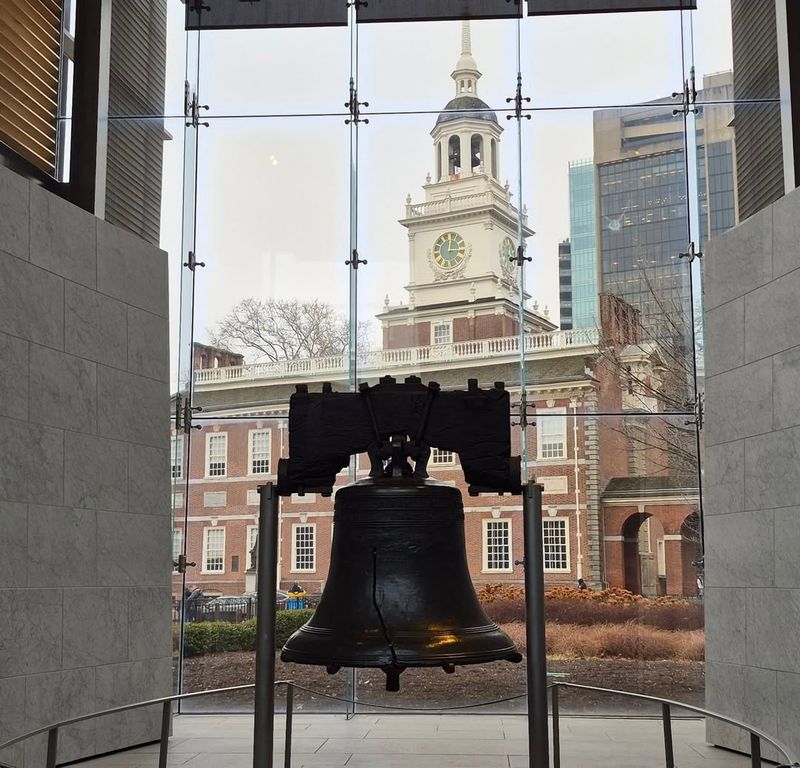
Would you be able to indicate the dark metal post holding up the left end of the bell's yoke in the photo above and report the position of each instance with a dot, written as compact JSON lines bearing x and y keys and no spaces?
{"x":267,"y":584}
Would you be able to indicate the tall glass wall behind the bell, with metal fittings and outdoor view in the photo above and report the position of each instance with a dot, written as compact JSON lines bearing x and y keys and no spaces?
{"x":313,"y":240}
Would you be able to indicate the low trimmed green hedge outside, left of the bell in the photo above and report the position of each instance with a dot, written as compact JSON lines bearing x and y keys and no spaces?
{"x":202,"y":637}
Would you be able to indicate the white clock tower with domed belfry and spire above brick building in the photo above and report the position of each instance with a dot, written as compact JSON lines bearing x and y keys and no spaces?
{"x":463,"y":237}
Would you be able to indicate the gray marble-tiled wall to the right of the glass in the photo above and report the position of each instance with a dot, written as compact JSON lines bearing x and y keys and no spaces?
{"x":752,"y":475}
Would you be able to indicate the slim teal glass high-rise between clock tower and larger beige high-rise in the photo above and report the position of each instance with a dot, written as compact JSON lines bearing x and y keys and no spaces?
{"x":583,"y":286}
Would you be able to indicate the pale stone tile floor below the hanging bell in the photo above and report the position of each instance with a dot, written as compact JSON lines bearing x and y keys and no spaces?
{"x":427,"y":741}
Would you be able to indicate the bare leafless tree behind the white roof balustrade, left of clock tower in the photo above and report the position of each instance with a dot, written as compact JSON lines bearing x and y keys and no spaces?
{"x":286,"y":329}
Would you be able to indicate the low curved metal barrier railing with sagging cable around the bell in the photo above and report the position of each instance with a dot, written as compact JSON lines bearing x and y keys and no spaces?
{"x":757,"y":736}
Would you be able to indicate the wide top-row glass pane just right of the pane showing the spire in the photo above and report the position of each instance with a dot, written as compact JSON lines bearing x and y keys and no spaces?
{"x":633,"y":57}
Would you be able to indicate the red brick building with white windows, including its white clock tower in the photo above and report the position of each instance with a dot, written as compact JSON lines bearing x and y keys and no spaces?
{"x":461,"y":320}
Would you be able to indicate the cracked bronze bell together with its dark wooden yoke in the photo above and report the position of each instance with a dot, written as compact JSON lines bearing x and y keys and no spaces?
{"x":398,"y":592}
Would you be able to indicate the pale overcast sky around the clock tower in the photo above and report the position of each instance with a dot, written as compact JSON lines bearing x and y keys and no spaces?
{"x":273,"y":177}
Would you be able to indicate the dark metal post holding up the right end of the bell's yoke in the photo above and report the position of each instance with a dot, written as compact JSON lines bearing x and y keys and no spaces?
{"x":538,"y":752}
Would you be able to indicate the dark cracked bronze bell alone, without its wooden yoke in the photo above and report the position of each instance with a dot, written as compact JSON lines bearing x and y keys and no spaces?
{"x":398,"y":592}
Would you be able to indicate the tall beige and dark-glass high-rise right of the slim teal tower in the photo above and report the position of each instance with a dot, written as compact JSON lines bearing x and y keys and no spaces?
{"x":642,"y":212}
